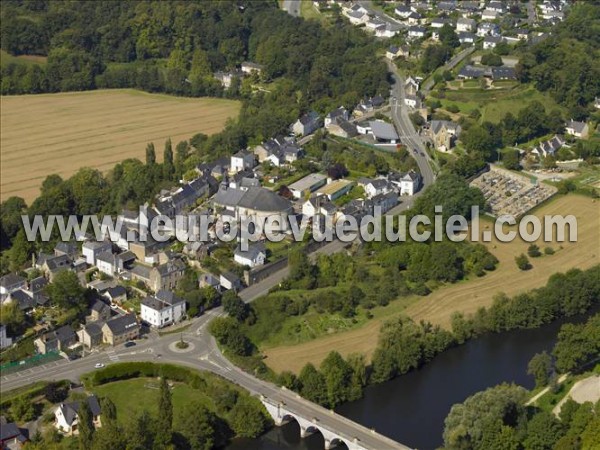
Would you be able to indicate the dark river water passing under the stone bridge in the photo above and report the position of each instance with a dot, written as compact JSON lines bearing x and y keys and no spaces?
{"x":411,"y":409}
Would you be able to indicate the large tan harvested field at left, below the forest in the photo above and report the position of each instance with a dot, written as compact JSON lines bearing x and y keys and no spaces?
{"x":60,"y":133}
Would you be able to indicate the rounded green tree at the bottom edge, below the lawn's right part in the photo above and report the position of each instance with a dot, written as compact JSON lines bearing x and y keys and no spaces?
{"x":197,"y":425}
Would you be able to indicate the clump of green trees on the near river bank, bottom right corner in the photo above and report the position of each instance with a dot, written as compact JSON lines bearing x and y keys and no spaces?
{"x":497,"y":418}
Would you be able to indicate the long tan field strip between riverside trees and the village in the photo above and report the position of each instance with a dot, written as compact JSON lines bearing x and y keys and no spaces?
{"x":465,"y":296}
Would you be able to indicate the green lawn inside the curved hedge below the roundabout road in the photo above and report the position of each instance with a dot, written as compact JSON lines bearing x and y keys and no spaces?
{"x":133,"y":396}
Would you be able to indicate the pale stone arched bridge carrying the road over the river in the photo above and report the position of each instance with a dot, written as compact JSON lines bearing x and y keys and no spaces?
{"x":336,"y":429}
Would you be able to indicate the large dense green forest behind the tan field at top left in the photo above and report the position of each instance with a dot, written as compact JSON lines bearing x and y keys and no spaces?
{"x":176,"y":46}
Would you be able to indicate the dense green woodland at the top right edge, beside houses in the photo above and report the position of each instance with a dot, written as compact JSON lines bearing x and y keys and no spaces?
{"x":567,"y":63}
